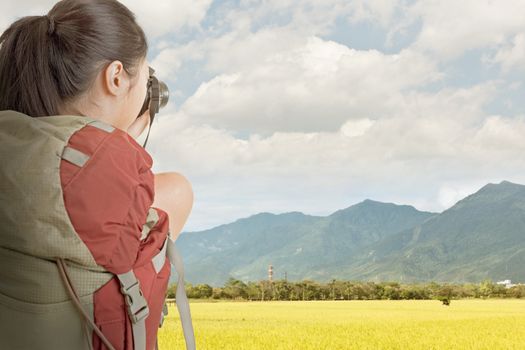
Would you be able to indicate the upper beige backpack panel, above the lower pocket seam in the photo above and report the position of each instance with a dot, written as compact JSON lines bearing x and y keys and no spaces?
{"x":33,"y":217}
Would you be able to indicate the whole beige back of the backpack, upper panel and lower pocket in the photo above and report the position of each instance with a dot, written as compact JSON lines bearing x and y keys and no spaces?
{"x":35,"y":309}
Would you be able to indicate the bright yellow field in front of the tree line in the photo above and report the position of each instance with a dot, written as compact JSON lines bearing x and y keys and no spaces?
{"x":465,"y":324}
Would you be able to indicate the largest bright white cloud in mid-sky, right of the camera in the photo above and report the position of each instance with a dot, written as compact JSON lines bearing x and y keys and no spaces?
{"x":315,"y":85}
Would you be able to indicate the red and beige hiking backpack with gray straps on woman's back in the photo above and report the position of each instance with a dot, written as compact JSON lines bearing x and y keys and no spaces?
{"x":87,"y":258}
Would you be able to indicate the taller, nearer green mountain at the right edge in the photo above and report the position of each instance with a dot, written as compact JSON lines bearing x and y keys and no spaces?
{"x":482,"y":236}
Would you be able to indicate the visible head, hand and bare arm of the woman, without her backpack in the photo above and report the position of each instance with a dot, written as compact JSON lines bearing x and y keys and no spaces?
{"x":86,"y":58}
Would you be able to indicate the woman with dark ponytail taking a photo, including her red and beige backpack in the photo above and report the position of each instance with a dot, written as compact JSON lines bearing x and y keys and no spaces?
{"x":84,"y":59}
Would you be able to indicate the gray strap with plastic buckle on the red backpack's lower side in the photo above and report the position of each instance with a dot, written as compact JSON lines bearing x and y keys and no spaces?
{"x":138,"y":308}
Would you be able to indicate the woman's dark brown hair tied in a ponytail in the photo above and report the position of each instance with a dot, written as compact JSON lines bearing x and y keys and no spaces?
{"x":48,"y":61}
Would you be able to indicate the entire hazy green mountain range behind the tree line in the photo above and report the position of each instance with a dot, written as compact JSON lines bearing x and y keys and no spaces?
{"x":481,"y":236}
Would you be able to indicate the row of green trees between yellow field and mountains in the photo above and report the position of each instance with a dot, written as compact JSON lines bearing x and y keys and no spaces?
{"x":235,"y":289}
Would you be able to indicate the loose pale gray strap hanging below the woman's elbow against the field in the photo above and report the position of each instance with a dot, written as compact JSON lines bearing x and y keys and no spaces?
{"x":181,"y":299}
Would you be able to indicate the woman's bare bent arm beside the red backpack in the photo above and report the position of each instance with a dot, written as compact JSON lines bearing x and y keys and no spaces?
{"x":174,"y":195}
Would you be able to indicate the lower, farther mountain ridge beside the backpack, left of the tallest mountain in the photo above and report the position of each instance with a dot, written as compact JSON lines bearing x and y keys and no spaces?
{"x":303,"y":246}
